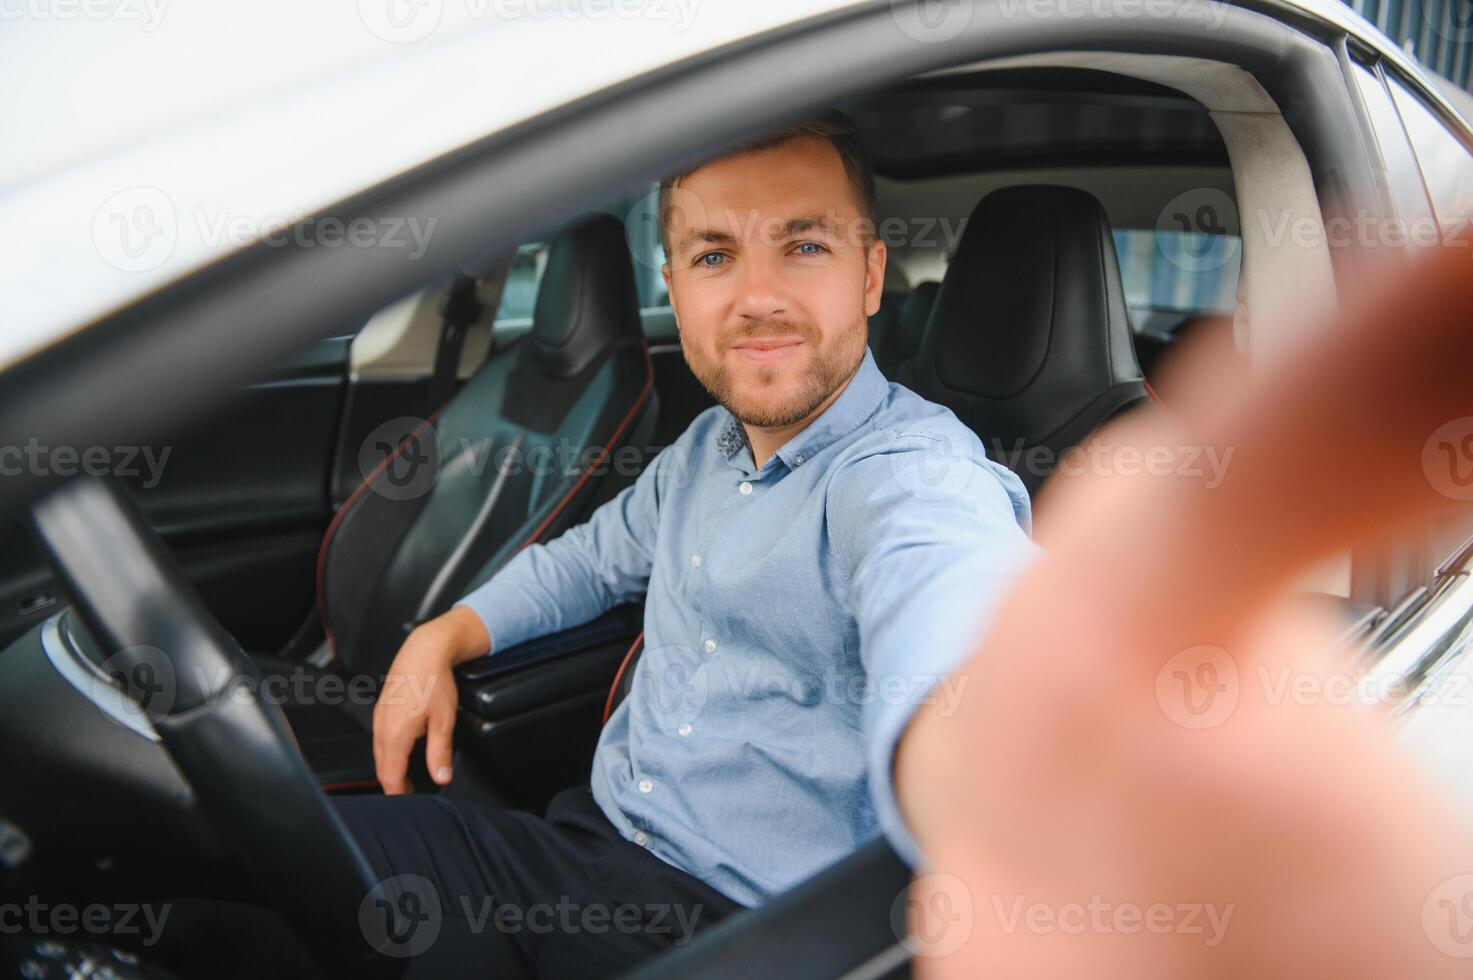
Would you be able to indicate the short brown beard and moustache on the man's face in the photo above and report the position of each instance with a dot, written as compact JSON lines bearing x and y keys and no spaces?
{"x":777,"y":396}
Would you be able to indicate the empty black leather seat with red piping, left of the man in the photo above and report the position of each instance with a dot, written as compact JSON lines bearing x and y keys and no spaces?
{"x":525,"y":452}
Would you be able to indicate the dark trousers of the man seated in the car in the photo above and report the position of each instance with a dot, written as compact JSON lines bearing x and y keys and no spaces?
{"x":477,"y":892}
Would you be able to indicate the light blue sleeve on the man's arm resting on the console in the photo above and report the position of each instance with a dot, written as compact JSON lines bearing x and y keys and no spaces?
{"x":578,"y":575}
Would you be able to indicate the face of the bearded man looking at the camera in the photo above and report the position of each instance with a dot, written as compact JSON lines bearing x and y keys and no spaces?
{"x":771,"y":281}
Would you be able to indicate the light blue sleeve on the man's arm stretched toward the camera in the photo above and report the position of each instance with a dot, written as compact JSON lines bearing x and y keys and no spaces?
{"x":933,"y":534}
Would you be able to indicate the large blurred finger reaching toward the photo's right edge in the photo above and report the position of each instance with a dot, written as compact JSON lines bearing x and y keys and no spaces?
{"x":1326,"y":452}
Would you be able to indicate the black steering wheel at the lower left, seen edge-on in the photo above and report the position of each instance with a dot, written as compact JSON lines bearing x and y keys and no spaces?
{"x":236,"y":752}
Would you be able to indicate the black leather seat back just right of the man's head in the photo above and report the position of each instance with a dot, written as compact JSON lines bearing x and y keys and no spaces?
{"x":1030,"y":341}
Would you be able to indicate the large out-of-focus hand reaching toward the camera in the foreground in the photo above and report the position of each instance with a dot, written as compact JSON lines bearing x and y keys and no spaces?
{"x":1133,"y":741}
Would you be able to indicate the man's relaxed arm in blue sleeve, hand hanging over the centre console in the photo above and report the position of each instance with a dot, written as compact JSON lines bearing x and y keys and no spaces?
{"x":544,"y":589}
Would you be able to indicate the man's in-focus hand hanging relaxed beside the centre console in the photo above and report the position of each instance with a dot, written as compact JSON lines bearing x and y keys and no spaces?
{"x":419,"y":698}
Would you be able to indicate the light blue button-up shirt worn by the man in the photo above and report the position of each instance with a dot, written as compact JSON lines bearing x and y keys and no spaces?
{"x":796,"y":617}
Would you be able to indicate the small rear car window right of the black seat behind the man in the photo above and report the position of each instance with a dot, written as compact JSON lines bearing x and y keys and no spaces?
{"x":1176,"y":273}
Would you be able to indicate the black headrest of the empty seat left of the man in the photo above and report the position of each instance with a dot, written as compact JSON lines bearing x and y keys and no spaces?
{"x":587,"y":300}
